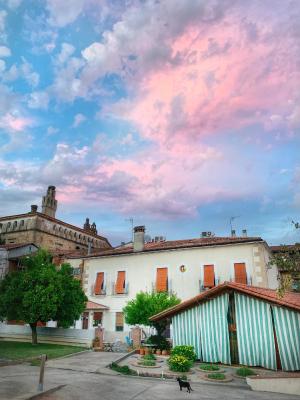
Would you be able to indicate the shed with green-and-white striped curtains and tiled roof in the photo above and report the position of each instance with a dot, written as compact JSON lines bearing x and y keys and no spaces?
{"x":239,"y":324}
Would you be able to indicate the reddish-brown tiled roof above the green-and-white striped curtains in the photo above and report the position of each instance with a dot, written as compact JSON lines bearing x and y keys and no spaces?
{"x":290,"y":299}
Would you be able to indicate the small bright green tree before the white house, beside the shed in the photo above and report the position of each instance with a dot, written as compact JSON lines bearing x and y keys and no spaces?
{"x":145,"y":305}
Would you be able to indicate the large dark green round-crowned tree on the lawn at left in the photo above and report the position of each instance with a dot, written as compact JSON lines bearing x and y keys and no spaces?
{"x":40,"y":292}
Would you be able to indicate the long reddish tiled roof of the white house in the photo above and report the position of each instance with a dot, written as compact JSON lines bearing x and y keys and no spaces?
{"x":178,"y":244}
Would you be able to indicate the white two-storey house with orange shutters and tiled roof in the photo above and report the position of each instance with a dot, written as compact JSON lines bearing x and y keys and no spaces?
{"x":186,"y":267}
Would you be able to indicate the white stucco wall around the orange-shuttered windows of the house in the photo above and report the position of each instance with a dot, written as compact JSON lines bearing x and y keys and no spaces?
{"x":141,"y":273}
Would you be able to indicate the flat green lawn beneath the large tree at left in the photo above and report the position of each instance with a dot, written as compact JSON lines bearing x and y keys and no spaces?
{"x":23,"y":351}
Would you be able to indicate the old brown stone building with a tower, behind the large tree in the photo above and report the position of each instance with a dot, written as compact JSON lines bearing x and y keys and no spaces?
{"x":43,"y":229}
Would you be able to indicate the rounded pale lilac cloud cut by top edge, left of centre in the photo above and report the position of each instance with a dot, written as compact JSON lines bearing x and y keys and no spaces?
{"x":64,"y":12}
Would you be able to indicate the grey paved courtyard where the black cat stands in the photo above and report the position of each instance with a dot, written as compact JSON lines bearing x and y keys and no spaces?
{"x":83,"y":377}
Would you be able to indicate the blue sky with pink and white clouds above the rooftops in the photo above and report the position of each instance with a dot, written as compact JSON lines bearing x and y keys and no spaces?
{"x":178,"y":114}
